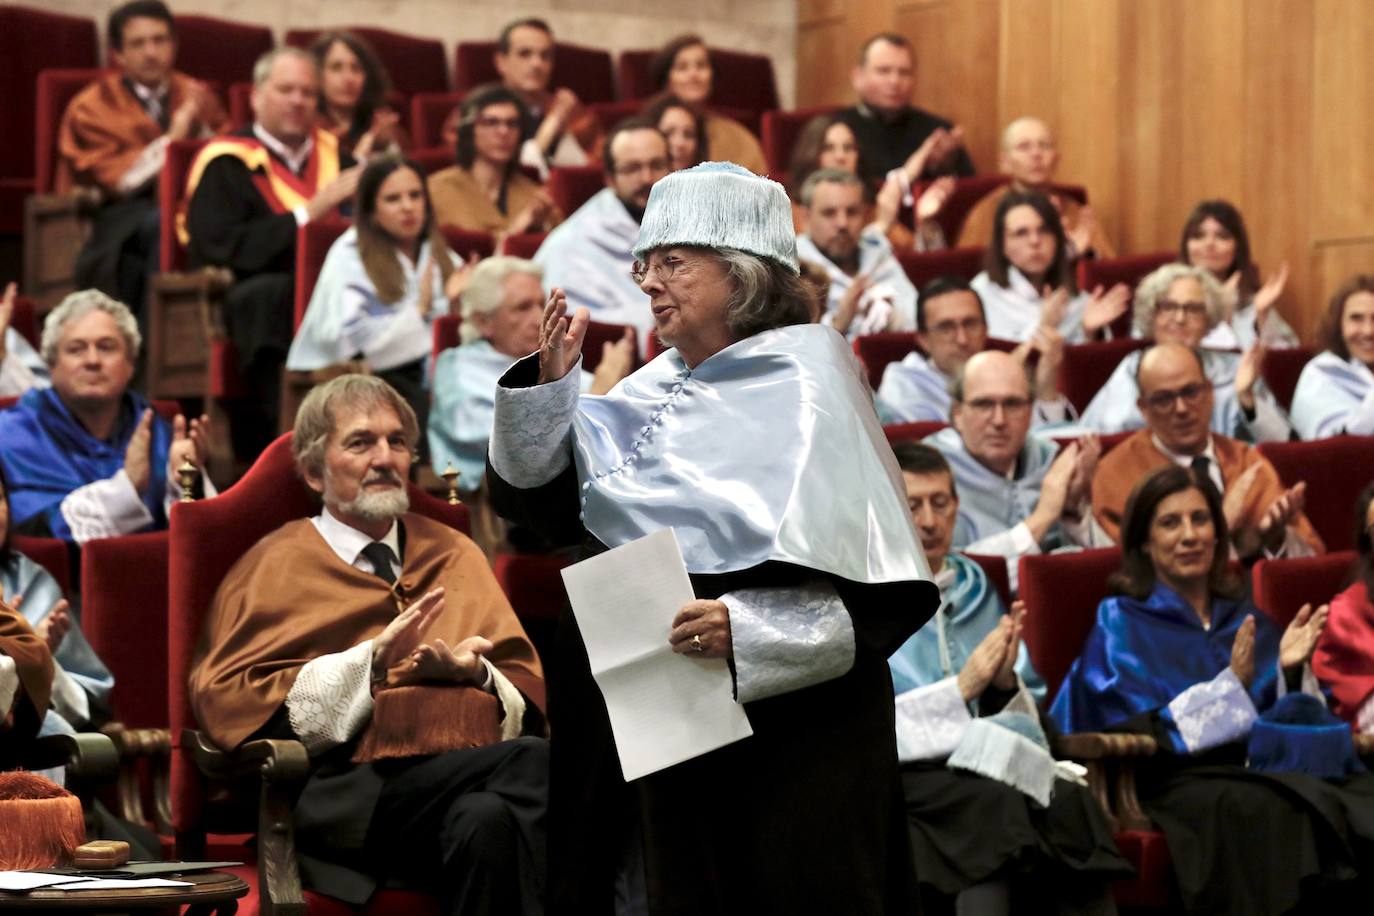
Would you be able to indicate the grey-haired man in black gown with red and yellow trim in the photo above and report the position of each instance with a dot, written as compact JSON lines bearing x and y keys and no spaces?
{"x":249,"y":193}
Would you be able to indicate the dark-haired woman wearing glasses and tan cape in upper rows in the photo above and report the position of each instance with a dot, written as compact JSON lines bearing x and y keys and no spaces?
{"x":487,"y":192}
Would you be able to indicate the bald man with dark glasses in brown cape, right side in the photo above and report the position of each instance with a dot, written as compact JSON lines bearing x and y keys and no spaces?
{"x":1265,"y":518}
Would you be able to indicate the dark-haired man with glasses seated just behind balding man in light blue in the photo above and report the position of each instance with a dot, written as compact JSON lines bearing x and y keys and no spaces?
{"x":950,"y":329}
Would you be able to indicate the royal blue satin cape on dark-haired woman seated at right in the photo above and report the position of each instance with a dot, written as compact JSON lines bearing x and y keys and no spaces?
{"x":1144,"y":654}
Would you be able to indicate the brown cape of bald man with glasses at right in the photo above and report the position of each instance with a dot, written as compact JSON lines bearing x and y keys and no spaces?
{"x":1125,"y":466}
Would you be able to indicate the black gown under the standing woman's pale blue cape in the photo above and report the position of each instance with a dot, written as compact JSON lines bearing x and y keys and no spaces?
{"x":806,"y":816}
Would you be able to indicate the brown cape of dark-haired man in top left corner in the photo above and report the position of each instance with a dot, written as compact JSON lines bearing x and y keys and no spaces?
{"x":105,"y":130}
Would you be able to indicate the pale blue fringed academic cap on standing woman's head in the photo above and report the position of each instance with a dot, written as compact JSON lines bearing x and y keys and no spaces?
{"x":721,"y":205}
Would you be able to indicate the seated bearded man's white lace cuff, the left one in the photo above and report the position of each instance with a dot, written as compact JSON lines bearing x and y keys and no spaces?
{"x":332,"y":700}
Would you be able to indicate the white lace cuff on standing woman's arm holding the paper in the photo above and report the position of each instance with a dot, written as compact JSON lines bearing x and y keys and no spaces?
{"x":788,"y":638}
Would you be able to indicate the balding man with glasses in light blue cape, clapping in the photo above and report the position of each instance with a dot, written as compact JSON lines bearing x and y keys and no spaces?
{"x":1017,"y":495}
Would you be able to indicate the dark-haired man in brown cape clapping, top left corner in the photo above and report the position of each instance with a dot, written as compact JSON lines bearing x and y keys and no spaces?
{"x":113,"y":141}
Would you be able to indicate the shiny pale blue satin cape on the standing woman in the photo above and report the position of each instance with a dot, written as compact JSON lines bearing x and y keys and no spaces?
{"x":767,"y":451}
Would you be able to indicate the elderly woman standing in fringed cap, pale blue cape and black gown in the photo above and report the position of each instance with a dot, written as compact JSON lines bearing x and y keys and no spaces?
{"x":756,"y":440}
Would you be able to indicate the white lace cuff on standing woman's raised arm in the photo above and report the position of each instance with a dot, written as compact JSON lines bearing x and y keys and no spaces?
{"x":532,"y":429}
